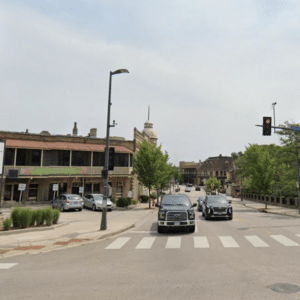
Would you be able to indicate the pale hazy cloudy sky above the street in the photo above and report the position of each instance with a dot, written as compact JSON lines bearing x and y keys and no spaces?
{"x":210,"y":70}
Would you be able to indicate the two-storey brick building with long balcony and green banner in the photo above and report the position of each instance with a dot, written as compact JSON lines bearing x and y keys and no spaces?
{"x":71,"y":161}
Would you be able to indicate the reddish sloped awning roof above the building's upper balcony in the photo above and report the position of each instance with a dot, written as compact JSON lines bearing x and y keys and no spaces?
{"x":26,"y":144}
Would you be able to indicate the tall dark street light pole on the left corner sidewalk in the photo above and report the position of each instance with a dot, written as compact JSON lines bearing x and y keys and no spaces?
{"x":105,"y":173}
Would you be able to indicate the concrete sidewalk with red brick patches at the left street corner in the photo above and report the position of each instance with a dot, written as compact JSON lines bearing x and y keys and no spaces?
{"x":70,"y":233}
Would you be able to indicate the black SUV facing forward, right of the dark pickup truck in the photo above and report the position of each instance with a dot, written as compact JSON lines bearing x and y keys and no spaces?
{"x":216,"y":206}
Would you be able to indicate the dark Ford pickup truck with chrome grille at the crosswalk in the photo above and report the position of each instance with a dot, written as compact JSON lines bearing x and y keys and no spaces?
{"x":176,"y":211}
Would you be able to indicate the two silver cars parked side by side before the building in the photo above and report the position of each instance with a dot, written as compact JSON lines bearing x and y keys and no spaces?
{"x":67,"y":202}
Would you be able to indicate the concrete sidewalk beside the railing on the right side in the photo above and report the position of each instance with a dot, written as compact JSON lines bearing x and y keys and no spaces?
{"x":272,"y":209}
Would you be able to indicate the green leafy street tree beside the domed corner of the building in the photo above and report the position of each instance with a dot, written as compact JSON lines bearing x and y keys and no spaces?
{"x":151,"y":167}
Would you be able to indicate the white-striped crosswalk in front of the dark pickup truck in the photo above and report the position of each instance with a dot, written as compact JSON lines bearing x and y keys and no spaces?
{"x":203,"y":242}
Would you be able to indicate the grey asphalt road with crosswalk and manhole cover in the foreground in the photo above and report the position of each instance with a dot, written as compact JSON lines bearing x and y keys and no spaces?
{"x":240,"y":259}
